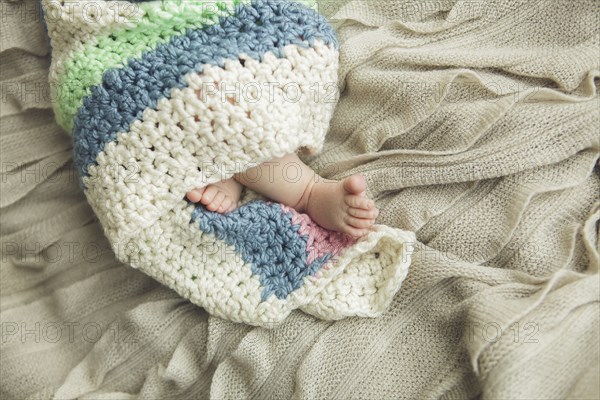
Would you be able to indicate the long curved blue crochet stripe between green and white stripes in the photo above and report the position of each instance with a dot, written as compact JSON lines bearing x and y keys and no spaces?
{"x":256,"y":28}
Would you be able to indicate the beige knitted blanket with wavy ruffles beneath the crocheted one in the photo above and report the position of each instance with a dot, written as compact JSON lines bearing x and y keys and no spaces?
{"x":476,"y":125}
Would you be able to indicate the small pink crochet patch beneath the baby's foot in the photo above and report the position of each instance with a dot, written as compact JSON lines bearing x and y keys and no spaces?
{"x":320,"y":241}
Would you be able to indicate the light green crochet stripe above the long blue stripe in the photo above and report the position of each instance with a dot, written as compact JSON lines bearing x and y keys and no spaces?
{"x":159,"y":23}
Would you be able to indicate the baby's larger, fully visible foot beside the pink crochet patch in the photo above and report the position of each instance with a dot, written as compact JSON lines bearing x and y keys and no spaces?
{"x":341,"y":205}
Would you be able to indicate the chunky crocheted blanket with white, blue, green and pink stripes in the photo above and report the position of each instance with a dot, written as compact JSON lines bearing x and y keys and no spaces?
{"x":165,"y":96}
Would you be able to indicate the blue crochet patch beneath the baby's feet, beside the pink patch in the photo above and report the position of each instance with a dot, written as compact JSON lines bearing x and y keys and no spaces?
{"x":264,"y":236}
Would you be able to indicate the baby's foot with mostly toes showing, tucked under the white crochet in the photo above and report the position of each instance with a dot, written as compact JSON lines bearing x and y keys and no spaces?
{"x":221,"y":197}
